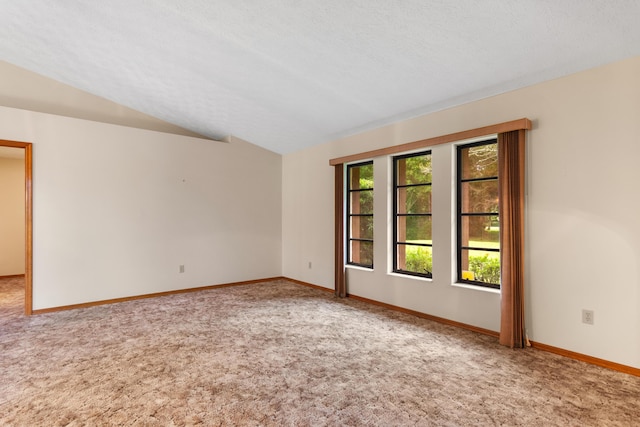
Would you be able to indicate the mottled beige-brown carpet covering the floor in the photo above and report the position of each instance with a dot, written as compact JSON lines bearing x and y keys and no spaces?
{"x":281,"y":354}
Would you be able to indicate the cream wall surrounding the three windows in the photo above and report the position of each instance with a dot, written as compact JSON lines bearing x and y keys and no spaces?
{"x":582,"y":213}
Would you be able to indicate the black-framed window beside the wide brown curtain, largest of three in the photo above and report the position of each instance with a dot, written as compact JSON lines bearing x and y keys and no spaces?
{"x":477,"y":214}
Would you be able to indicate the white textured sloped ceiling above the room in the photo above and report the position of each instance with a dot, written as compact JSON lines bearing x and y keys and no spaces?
{"x":288,"y":74}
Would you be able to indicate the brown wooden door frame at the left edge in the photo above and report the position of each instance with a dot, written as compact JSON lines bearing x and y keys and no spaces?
{"x":28,"y":214}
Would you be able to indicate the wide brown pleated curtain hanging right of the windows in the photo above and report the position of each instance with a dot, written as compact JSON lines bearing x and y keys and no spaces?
{"x":511,"y":163}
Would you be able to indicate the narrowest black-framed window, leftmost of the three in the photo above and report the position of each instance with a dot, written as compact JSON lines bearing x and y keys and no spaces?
{"x":360,"y":214}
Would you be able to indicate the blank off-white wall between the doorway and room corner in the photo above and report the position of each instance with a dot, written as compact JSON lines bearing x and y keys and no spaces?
{"x":118,"y":209}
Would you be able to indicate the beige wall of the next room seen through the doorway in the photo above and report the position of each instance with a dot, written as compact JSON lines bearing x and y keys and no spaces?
{"x":12,"y":222}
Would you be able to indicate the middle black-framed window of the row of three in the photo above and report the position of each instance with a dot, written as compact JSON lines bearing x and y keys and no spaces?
{"x":412,"y":211}
